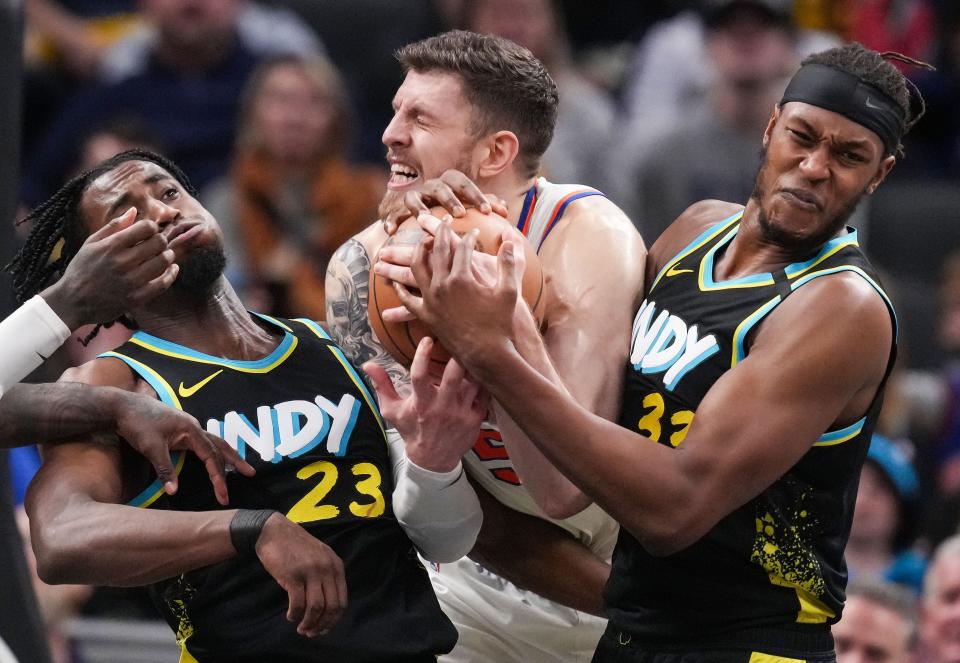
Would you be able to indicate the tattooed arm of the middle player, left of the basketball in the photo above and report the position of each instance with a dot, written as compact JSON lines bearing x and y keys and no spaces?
{"x":347,"y":286}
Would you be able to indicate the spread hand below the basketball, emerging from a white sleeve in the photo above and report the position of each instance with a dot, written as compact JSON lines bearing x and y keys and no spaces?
{"x":438,"y":422}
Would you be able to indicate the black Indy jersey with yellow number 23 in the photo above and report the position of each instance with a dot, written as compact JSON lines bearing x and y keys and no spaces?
{"x":306,"y":421}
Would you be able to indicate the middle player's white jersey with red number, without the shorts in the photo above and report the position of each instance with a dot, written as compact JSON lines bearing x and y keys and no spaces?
{"x":488,"y":462}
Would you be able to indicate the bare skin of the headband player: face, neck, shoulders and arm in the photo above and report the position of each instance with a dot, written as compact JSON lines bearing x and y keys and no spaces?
{"x":831,"y":341}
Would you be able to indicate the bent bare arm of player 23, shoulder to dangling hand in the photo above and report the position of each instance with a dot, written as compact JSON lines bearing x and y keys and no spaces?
{"x":82,"y":534}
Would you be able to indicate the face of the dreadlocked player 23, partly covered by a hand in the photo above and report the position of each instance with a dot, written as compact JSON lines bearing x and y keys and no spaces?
{"x":191,"y":232}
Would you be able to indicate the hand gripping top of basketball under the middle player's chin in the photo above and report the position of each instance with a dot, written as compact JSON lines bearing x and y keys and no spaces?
{"x":452,"y":191}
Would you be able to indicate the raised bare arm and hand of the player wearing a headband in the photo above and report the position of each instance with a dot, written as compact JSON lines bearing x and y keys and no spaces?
{"x":828,"y":346}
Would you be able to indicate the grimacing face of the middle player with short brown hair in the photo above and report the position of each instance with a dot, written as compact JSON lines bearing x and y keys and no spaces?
{"x":430,"y":131}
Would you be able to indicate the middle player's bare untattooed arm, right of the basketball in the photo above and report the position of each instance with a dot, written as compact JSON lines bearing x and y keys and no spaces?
{"x":595,"y":261}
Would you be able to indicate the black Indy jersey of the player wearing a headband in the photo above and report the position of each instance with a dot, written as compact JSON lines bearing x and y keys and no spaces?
{"x":772,"y":572}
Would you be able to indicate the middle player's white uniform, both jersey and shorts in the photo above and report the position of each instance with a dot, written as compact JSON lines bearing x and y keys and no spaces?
{"x":497,"y":621}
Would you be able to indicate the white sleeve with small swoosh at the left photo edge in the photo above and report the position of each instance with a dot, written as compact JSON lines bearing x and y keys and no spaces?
{"x":31,"y":334}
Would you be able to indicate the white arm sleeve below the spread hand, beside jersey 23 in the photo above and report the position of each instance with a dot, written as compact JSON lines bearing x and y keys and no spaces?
{"x":439,"y":511}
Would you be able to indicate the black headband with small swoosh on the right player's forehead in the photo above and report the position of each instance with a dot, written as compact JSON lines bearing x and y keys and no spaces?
{"x":840,"y":92}
